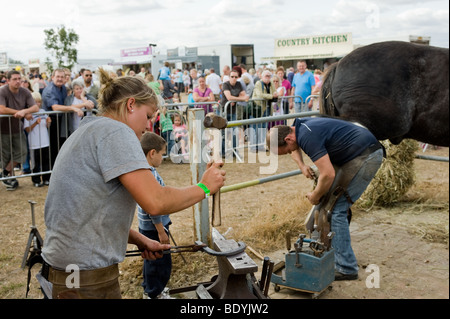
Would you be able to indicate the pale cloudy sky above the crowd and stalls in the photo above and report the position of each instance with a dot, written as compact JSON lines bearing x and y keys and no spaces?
{"x":106,"y":27}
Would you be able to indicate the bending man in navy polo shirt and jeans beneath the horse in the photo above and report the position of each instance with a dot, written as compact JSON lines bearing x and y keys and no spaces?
{"x":330,"y":143}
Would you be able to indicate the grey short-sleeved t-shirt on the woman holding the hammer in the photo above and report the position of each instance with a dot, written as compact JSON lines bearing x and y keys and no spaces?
{"x":88,"y":212}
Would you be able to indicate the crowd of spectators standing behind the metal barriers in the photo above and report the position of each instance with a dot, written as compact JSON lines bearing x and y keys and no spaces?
{"x":76,"y":95}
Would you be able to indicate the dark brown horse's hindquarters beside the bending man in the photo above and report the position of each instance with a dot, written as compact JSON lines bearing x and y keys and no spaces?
{"x":397,"y":90}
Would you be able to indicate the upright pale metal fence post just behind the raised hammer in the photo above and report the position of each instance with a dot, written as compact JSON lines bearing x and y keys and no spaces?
{"x":202,"y":229}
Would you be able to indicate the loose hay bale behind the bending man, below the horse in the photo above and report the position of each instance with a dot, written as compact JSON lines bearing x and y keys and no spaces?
{"x":395,"y":176}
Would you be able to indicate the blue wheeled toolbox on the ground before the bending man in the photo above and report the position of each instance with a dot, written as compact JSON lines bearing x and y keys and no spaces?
{"x":308,"y":268}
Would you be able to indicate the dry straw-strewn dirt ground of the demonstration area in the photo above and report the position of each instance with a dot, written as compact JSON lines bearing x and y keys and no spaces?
{"x":408,"y":241}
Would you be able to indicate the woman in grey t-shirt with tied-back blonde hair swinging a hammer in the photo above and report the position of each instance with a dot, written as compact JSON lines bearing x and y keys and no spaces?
{"x":99,"y":175}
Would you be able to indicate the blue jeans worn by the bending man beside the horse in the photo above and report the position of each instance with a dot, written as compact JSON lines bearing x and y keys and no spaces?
{"x":345,"y":260}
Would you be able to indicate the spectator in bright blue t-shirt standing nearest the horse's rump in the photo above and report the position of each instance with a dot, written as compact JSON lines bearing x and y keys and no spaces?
{"x":302,"y":85}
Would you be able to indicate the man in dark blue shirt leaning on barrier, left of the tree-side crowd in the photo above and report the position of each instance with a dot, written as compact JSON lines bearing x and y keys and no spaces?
{"x":53,"y":100}
